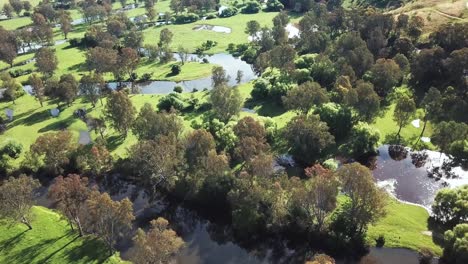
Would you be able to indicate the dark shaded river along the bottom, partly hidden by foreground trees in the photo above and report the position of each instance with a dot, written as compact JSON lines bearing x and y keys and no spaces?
{"x":212,"y":243}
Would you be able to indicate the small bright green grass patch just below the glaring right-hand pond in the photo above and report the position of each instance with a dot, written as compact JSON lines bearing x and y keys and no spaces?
{"x":403,"y":227}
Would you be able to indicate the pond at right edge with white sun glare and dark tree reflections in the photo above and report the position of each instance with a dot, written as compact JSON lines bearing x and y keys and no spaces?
{"x":413,"y":176}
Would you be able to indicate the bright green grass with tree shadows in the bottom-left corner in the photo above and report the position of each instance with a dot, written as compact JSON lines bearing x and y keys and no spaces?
{"x":50,"y":241}
